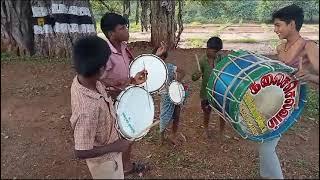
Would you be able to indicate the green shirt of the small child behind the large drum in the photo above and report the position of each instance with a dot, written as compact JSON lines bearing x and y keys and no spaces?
{"x":206,"y":70}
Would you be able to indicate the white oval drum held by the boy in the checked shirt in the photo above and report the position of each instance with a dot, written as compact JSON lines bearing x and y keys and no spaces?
{"x":135,"y":112}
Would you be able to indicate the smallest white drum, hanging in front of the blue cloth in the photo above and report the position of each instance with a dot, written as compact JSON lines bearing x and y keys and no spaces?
{"x":176,"y":92}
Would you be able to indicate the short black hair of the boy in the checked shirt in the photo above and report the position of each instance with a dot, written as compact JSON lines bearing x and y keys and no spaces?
{"x":89,"y":54}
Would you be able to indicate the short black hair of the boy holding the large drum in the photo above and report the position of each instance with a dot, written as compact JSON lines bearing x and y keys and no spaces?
{"x":289,"y":13}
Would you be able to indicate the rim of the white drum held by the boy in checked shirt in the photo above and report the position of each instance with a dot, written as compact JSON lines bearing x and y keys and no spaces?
{"x":116,"y":109}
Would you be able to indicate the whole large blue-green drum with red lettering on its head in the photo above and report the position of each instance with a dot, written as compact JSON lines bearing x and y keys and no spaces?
{"x":260,"y":97}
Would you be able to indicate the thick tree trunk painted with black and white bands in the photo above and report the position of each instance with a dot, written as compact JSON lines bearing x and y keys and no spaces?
{"x":59,"y":23}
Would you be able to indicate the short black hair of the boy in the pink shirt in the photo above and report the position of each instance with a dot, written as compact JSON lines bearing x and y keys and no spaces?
{"x":109,"y":21}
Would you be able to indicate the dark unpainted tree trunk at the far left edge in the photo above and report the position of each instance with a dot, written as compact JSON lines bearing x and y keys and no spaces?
{"x":16,"y":27}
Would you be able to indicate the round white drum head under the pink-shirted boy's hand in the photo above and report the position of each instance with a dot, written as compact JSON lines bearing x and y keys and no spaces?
{"x":156,"y":68}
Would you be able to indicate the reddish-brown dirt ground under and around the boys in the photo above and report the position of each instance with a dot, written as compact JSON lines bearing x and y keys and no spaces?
{"x":37,"y":142}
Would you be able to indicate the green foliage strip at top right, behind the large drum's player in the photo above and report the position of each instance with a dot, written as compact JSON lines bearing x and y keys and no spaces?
{"x":217,"y":11}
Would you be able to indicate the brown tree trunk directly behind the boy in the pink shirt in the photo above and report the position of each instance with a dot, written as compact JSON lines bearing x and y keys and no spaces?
{"x":163,"y":25}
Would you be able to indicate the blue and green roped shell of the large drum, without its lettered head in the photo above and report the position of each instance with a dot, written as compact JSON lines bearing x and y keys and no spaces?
{"x":230,"y":95}
